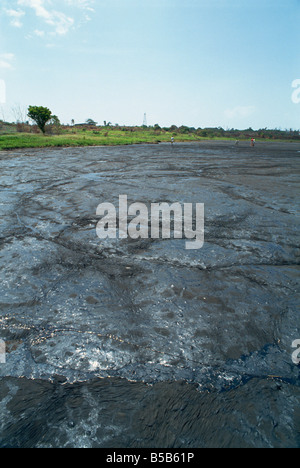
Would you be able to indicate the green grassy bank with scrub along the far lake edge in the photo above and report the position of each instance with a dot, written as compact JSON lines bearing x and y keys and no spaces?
{"x":26,"y":136}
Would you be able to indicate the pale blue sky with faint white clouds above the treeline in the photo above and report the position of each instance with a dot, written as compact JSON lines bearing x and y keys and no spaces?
{"x":228,"y":63}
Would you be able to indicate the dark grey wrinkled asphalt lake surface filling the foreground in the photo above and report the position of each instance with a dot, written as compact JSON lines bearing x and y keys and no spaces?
{"x":142,"y":343}
